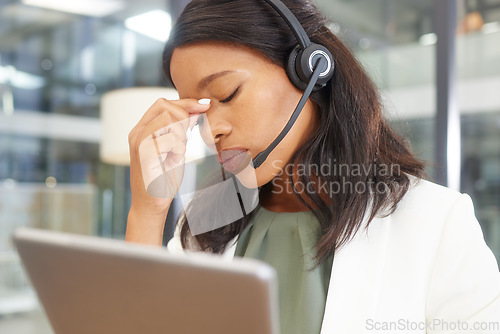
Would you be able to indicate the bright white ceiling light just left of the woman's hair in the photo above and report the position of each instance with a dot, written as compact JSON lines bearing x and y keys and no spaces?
{"x":155,"y":24}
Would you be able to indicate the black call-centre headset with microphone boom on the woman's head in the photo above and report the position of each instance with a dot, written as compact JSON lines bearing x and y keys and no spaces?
{"x":309,"y":67}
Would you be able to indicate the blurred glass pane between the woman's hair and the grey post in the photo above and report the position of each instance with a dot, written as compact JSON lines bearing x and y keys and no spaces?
{"x":395,"y":42}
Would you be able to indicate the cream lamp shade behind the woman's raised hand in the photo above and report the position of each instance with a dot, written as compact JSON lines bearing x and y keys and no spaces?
{"x":121,"y":110}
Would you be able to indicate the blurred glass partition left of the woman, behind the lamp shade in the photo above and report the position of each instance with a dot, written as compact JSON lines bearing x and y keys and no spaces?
{"x":54,"y":68}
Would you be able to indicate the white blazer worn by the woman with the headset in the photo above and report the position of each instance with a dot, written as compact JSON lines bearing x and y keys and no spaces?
{"x":423,"y":269}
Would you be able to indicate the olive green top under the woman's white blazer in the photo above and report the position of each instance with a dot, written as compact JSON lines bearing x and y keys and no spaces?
{"x":286,"y":240}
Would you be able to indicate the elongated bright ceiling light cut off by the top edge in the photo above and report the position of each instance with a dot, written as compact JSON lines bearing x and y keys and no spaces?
{"x":97,"y":8}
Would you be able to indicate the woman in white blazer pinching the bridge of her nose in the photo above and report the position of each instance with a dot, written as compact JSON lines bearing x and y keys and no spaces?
{"x":363,"y":245}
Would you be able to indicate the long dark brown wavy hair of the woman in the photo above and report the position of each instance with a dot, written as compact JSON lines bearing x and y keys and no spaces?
{"x":351,"y":130}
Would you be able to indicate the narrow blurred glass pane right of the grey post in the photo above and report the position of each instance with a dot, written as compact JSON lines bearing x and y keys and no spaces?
{"x":478,"y":71}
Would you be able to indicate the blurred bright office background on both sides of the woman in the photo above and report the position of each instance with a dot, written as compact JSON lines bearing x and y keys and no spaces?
{"x":57,"y":58}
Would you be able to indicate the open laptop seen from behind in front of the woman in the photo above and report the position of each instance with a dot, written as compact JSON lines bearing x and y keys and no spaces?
{"x":95,"y":285}
